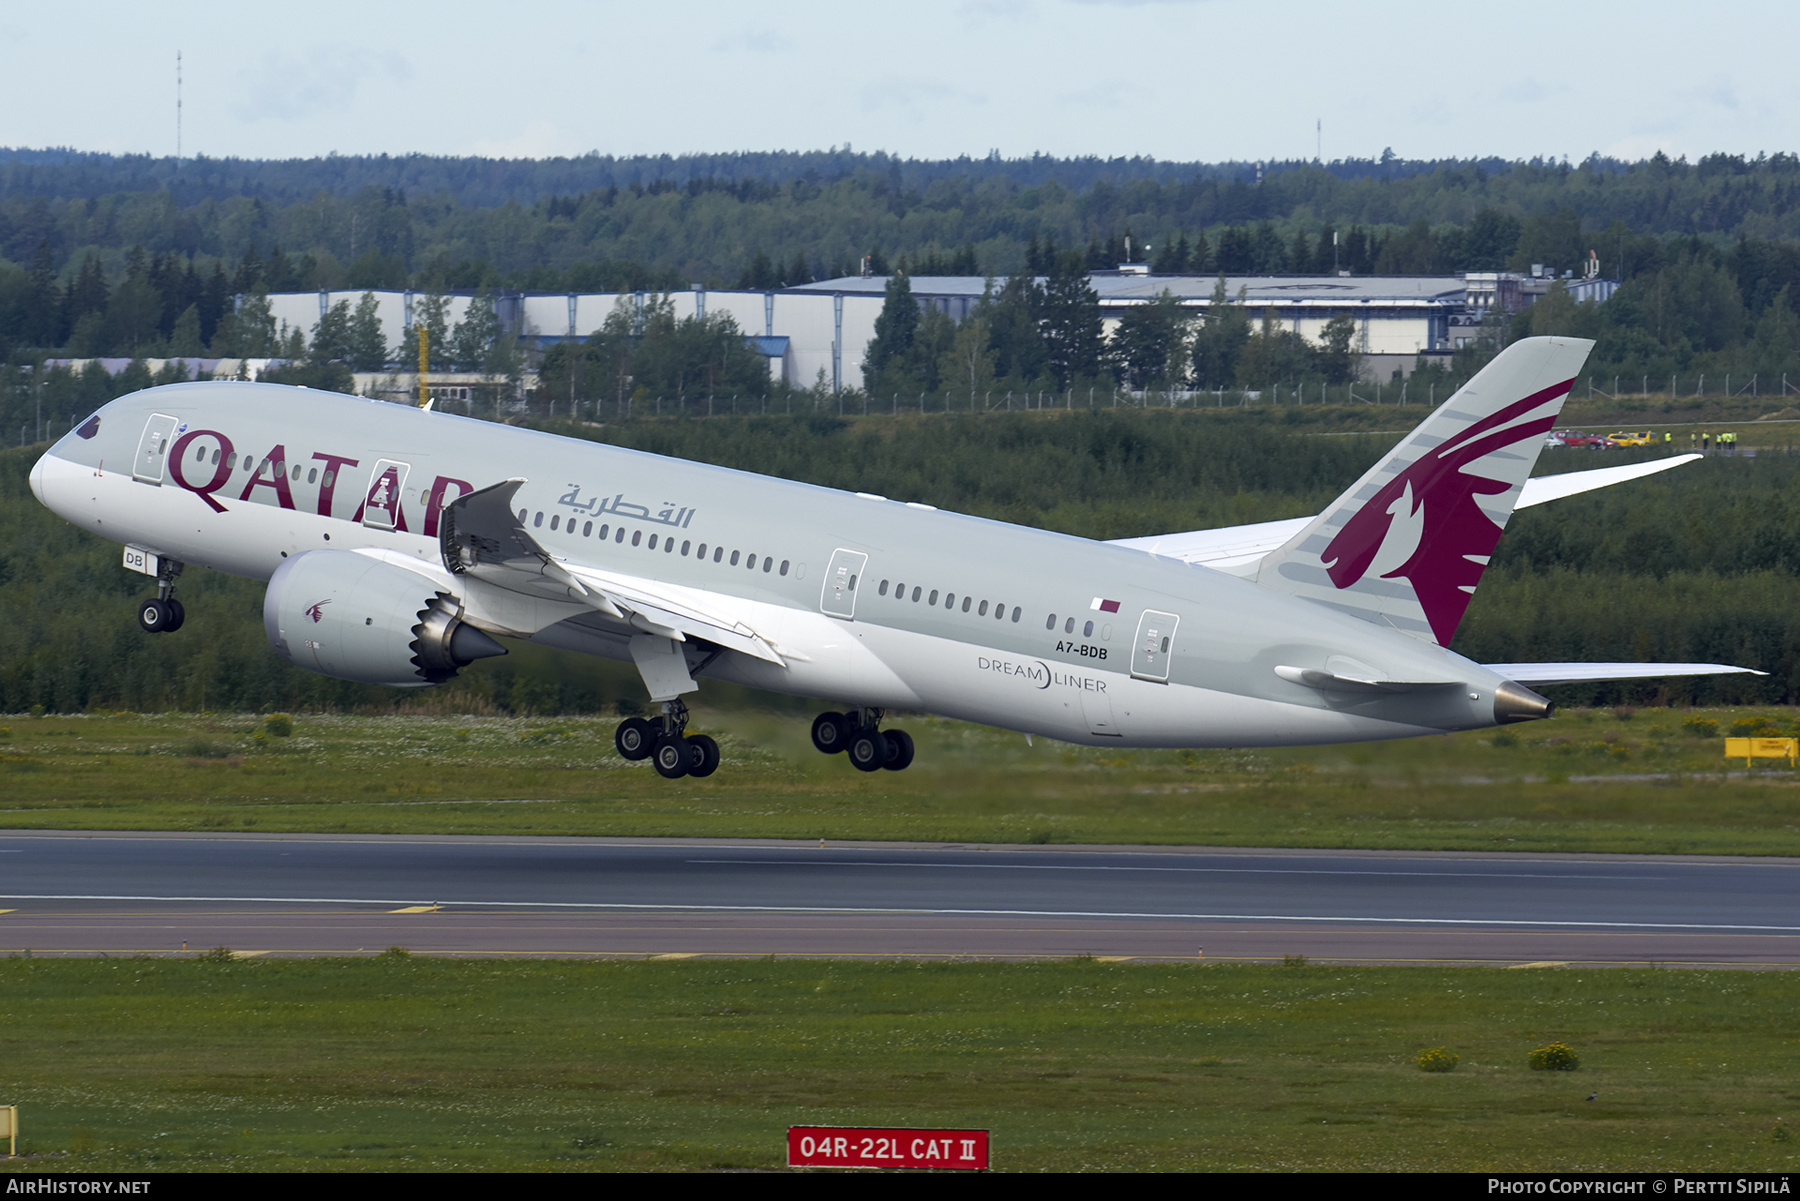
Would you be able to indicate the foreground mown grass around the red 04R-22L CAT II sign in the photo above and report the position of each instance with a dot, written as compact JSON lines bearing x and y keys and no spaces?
{"x":406,"y":1063}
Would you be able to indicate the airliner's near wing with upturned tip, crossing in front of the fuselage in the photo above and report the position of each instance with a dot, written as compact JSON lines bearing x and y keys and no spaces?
{"x":480,"y":536}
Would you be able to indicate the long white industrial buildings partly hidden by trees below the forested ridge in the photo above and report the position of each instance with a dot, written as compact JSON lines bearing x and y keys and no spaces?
{"x":822,"y":330}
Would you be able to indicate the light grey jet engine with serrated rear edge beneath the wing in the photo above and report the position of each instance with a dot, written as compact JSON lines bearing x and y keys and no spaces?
{"x":364,"y":620}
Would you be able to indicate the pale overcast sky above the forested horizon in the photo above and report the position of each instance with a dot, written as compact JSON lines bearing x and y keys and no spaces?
{"x":1187,"y":80}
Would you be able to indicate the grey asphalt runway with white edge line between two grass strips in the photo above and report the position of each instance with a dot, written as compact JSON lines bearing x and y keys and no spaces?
{"x":262,"y":894}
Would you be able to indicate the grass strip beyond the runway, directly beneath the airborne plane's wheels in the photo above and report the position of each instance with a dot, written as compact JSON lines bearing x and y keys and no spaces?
{"x":1581,"y":782}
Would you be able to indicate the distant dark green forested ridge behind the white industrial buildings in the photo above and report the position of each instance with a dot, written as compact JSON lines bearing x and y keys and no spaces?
{"x":469,"y":224}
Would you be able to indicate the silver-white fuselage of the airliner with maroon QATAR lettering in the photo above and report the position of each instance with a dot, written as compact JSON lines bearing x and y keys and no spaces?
{"x":1065,"y":658}
